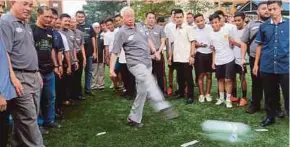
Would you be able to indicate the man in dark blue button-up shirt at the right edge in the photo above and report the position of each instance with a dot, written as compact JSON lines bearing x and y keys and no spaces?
{"x":273,"y":54}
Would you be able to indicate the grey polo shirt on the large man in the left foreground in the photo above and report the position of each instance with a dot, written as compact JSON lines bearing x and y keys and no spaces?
{"x":18,"y":39}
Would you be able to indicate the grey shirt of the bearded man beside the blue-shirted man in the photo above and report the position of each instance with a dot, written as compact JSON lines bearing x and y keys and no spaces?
{"x":250,"y":31}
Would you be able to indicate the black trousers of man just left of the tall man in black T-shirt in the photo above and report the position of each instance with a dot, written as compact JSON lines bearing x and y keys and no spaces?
{"x":77,"y":78}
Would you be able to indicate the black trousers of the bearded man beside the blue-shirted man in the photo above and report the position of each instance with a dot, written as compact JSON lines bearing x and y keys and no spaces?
{"x":257,"y":87}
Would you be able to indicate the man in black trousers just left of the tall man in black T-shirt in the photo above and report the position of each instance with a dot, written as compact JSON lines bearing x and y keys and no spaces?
{"x":81,"y":55}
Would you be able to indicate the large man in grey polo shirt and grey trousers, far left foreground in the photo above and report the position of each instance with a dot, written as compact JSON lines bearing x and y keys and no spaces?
{"x":18,"y":39}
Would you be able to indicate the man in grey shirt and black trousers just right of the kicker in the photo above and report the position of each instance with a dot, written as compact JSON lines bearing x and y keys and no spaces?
{"x":158,"y":38}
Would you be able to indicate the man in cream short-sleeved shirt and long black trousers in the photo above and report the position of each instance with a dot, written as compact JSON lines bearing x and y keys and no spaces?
{"x":183,"y":54}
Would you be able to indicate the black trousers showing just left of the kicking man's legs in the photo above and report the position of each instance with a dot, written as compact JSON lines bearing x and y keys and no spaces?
{"x":128,"y":79}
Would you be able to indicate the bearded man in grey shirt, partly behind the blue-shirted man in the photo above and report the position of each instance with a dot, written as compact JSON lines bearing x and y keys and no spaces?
{"x":248,"y":41}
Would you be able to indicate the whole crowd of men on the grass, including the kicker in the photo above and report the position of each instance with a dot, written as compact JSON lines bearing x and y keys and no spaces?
{"x":42,"y":64}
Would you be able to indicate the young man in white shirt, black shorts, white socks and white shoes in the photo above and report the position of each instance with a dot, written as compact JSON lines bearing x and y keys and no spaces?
{"x":223,"y":60}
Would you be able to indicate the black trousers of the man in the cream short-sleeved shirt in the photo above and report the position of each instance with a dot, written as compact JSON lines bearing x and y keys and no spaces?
{"x":184,"y":74}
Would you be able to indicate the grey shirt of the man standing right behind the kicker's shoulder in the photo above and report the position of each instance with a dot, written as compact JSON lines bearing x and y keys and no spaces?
{"x":157,"y":34}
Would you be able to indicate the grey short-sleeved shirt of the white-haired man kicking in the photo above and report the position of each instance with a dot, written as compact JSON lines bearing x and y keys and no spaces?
{"x":135,"y":44}
